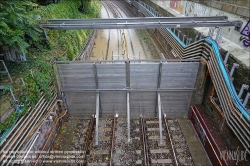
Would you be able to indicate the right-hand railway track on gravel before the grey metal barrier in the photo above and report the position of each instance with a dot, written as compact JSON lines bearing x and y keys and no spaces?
{"x":173,"y":151}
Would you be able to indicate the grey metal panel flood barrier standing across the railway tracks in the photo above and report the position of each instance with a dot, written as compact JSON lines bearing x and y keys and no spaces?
{"x":114,"y":87}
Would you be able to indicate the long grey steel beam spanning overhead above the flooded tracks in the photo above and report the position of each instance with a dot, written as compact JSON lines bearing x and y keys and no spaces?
{"x":138,"y":22}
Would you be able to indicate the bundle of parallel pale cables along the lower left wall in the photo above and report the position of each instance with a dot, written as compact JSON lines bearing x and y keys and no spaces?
{"x":21,"y":131}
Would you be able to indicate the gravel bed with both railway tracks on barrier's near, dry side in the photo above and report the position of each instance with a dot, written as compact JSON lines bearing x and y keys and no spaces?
{"x":144,"y":149}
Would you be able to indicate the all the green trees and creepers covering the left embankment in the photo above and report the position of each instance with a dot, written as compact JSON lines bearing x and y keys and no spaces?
{"x":37,"y":72}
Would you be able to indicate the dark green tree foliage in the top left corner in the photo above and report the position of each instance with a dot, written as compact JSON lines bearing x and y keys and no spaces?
{"x":18,"y":29}
